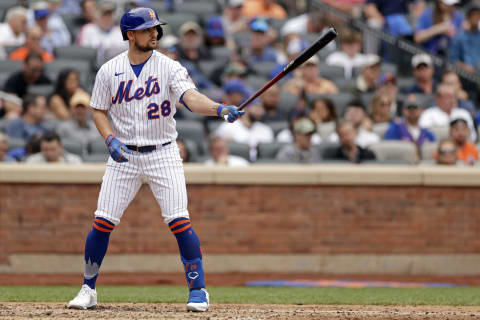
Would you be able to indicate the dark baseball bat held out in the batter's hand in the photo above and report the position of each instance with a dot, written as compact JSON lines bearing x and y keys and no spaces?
{"x":295,"y":63}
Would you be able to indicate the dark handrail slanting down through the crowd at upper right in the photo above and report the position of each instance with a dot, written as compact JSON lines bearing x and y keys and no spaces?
{"x":401,"y":44}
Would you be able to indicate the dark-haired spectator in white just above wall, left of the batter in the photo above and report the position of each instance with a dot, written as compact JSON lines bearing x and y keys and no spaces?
{"x":51,"y":151}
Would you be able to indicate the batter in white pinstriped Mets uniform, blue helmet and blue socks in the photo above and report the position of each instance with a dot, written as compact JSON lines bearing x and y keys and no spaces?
{"x":134,"y":100}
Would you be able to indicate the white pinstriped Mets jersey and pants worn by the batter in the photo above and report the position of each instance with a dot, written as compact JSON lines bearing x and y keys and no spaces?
{"x":141,"y":113}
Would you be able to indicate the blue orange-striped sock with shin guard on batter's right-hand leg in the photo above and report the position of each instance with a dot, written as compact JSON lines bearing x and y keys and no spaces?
{"x":190,"y":252}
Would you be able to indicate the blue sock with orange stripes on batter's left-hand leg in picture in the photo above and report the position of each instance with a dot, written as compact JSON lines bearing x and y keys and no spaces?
{"x":95,"y":249}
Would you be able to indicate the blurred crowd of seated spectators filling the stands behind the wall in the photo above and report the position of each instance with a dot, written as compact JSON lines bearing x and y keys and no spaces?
{"x":349,"y":103}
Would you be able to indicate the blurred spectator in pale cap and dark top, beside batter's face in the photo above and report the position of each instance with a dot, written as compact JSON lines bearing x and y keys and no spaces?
{"x":191,"y":48}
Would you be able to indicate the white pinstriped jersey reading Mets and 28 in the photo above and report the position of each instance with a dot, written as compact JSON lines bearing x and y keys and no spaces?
{"x":141,"y":109}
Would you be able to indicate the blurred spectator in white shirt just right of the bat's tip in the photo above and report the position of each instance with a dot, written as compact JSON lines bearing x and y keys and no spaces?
{"x":350,"y":55}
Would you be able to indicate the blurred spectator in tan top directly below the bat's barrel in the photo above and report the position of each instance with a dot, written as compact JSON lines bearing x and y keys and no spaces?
{"x":309,"y":81}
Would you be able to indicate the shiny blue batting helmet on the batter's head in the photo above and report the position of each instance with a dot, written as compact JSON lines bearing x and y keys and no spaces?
{"x":140,"y":19}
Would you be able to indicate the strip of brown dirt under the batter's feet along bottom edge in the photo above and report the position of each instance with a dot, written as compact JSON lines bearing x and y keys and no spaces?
{"x":13,"y":310}
